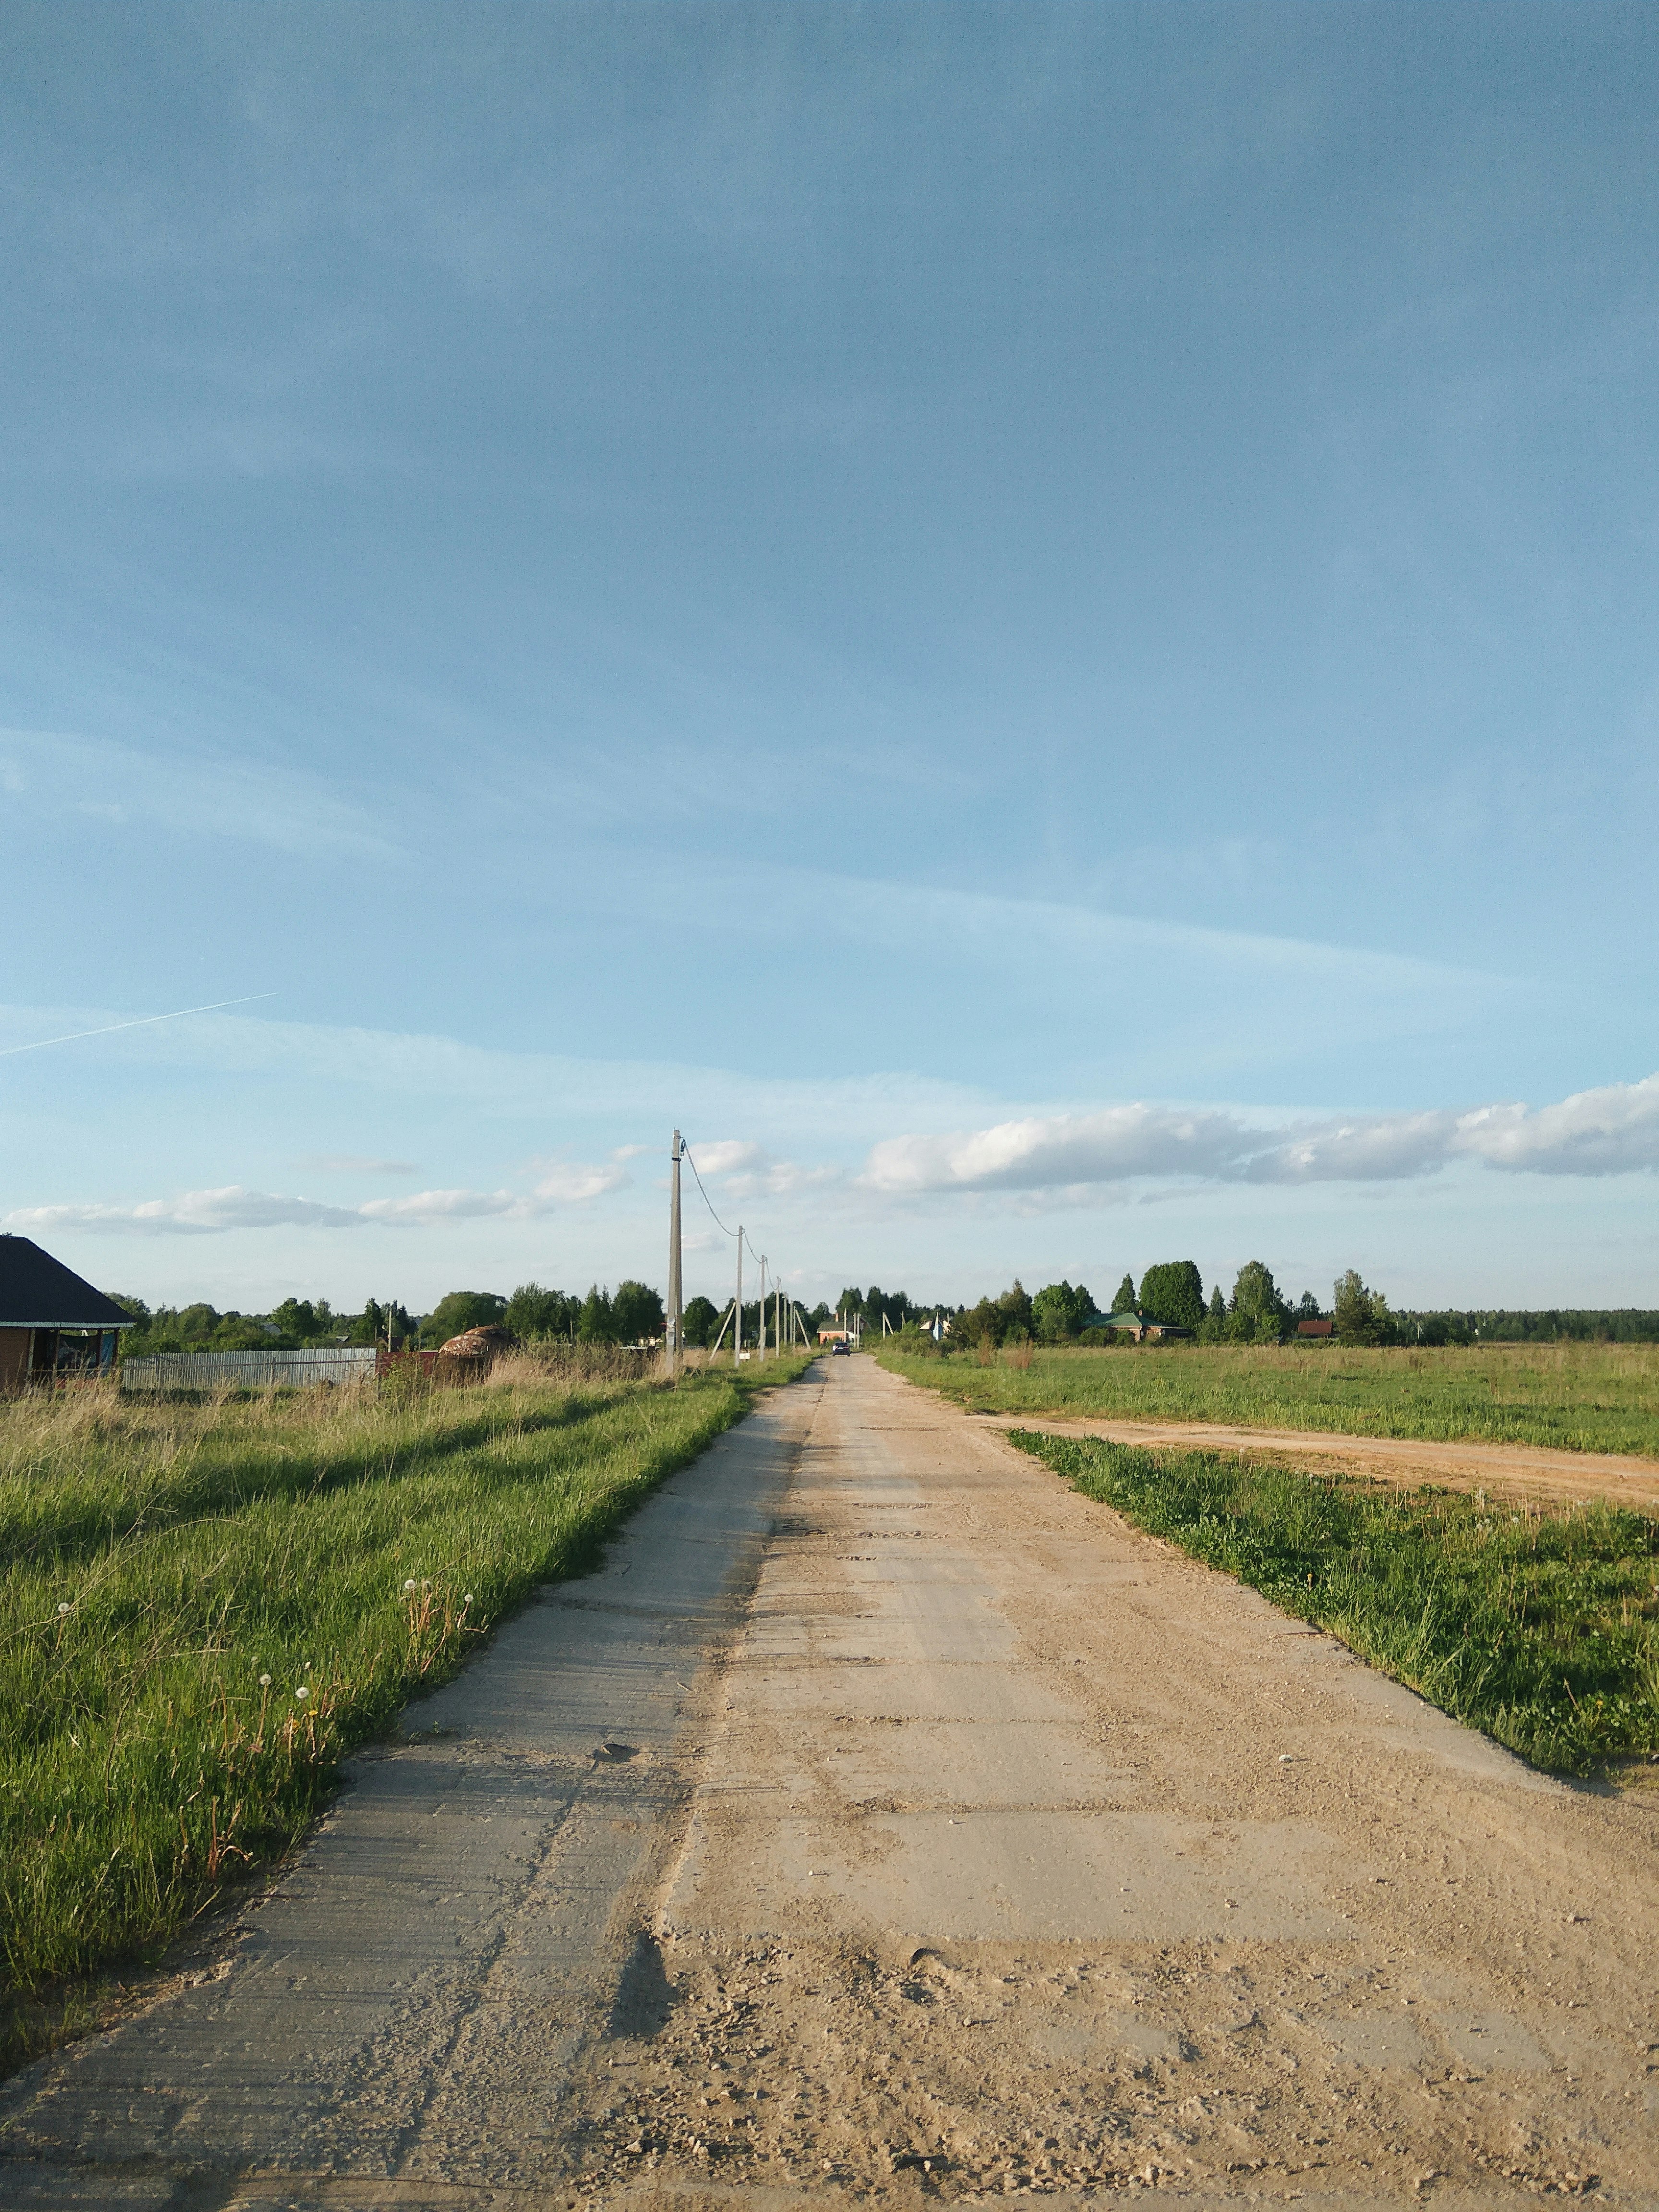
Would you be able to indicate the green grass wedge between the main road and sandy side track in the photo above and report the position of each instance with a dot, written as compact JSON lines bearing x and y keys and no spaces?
{"x":1536,"y":1627}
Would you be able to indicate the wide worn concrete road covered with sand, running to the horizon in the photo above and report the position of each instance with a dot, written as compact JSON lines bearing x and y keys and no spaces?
{"x":890,"y":1822}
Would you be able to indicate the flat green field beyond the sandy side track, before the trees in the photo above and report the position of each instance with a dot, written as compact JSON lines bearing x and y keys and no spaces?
{"x":1574,"y":1397}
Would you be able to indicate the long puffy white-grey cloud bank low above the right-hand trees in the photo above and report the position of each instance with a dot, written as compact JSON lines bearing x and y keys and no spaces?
{"x":1607,"y":1131}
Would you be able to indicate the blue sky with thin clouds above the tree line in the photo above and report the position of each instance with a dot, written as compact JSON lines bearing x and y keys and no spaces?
{"x":1032,"y":620}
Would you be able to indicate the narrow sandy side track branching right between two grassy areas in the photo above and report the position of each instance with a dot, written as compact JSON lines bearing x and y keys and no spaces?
{"x":1532,"y":1472}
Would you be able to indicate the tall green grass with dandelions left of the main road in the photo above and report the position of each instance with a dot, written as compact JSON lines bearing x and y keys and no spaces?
{"x":205,"y":1607}
